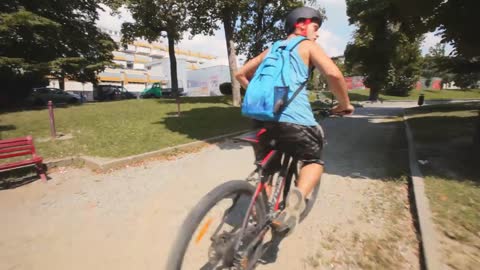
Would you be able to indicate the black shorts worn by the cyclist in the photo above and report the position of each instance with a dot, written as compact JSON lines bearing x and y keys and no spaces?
{"x":303,"y":142}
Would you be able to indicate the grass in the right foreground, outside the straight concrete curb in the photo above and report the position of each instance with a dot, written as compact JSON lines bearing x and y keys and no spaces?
{"x":444,"y":136}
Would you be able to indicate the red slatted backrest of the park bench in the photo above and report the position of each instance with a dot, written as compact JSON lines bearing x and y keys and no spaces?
{"x":17,"y":147}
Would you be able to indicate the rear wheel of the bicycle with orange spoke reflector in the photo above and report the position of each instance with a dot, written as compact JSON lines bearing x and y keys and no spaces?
{"x":208,"y":235}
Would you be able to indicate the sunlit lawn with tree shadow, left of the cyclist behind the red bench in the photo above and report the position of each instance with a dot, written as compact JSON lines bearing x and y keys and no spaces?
{"x":124,"y":128}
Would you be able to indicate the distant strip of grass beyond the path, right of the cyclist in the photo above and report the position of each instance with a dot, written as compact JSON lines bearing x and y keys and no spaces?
{"x":362,"y":95}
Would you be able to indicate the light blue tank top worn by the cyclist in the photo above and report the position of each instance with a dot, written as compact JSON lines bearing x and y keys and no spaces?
{"x":299,"y":110}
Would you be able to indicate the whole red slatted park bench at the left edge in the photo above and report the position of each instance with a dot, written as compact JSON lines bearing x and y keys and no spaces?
{"x":19,"y":147}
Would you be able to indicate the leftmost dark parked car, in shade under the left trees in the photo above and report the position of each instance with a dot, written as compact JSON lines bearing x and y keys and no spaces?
{"x":41,"y":96}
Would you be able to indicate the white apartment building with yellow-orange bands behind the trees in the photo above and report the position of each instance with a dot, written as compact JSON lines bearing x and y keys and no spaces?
{"x":142,"y":63}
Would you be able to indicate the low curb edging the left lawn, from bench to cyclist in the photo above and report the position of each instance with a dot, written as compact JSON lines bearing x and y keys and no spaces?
{"x":116,"y":163}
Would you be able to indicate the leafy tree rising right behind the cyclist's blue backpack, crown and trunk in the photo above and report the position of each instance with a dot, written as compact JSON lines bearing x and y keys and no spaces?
{"x":251,"y":24}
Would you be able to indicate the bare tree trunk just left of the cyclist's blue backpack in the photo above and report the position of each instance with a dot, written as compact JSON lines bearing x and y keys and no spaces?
{"x":232,"y":58}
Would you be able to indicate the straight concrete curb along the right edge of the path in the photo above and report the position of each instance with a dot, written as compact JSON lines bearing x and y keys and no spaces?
{"x":428,"y":236}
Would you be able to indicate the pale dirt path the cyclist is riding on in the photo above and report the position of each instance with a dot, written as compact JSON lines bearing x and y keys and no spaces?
{"x":127,"y":219}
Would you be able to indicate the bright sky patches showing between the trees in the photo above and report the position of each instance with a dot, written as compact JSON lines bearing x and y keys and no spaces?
{"x":334,"y":34}
